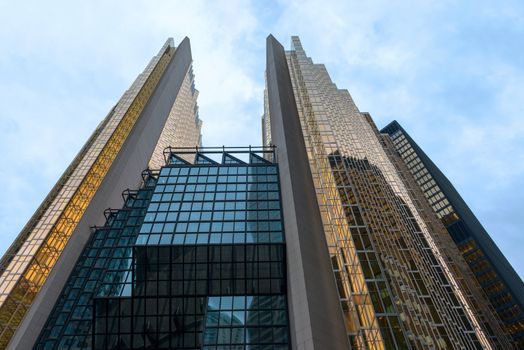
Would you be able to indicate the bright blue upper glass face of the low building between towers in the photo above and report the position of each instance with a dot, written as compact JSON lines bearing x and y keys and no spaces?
{"x":211,"y":205}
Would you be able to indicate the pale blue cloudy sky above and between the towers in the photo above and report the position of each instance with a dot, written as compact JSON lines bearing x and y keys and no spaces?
{"x":452,"y":73}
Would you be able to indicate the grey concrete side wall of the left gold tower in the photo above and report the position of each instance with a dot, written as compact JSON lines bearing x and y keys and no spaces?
{"x":125,"y":172}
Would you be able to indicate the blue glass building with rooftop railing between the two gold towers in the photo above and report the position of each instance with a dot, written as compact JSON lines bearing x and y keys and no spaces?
{"x":194,"y":260}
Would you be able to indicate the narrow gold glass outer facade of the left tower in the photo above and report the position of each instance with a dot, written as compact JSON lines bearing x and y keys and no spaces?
{"x":26,"y":269}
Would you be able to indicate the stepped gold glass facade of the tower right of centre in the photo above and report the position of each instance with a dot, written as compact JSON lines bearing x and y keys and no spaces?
{"x":363,"y":197}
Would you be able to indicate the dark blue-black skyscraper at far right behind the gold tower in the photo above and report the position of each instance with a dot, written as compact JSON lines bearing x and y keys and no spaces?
{"x":496,"y":276}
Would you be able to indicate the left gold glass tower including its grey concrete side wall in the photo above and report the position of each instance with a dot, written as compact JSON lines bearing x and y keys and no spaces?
{"x":157,"y":110}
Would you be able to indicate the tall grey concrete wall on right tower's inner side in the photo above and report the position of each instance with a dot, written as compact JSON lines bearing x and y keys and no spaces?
{"x":314,"y":308}
